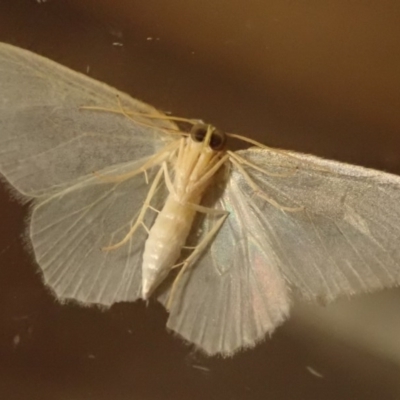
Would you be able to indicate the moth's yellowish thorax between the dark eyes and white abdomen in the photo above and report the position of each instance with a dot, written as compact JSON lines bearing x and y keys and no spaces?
{"x":193,"y":166}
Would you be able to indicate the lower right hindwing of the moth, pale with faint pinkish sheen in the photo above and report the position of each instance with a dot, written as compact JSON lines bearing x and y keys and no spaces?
{"x":234,"y":294}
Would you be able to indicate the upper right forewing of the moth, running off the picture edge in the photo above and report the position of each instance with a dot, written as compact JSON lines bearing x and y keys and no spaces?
{"x":344,"y":239}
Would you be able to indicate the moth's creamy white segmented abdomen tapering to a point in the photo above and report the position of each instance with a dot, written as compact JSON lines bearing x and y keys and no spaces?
{"x":163,"y":246}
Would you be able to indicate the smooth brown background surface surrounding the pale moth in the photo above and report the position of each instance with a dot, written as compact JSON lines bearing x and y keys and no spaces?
{"x":313,"y":76}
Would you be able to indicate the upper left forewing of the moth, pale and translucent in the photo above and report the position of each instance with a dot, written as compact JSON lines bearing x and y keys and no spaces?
{"x":48,"y":141}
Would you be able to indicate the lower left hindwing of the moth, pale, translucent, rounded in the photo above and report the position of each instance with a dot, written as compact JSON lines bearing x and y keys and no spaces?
{"x":70,"y":229}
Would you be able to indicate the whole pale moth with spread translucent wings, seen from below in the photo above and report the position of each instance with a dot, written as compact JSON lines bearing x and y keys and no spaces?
{"x":127,"y":206}
